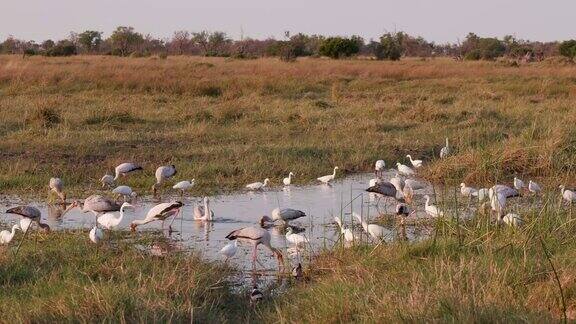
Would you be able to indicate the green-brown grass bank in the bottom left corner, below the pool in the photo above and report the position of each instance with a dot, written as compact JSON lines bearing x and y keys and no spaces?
{"x":62,"y":276}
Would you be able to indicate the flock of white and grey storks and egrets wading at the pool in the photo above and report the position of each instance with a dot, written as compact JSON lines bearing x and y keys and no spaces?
{"x":401,"y":188}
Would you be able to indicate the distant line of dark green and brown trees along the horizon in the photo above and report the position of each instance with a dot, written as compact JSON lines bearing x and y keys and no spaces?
{"x":125,"y":41}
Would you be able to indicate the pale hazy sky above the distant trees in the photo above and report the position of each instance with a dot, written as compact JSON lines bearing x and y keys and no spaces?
{"x":436,"y":20}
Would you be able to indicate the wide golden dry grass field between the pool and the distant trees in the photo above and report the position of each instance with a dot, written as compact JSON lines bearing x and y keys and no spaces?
{"x":230,"y":122}
